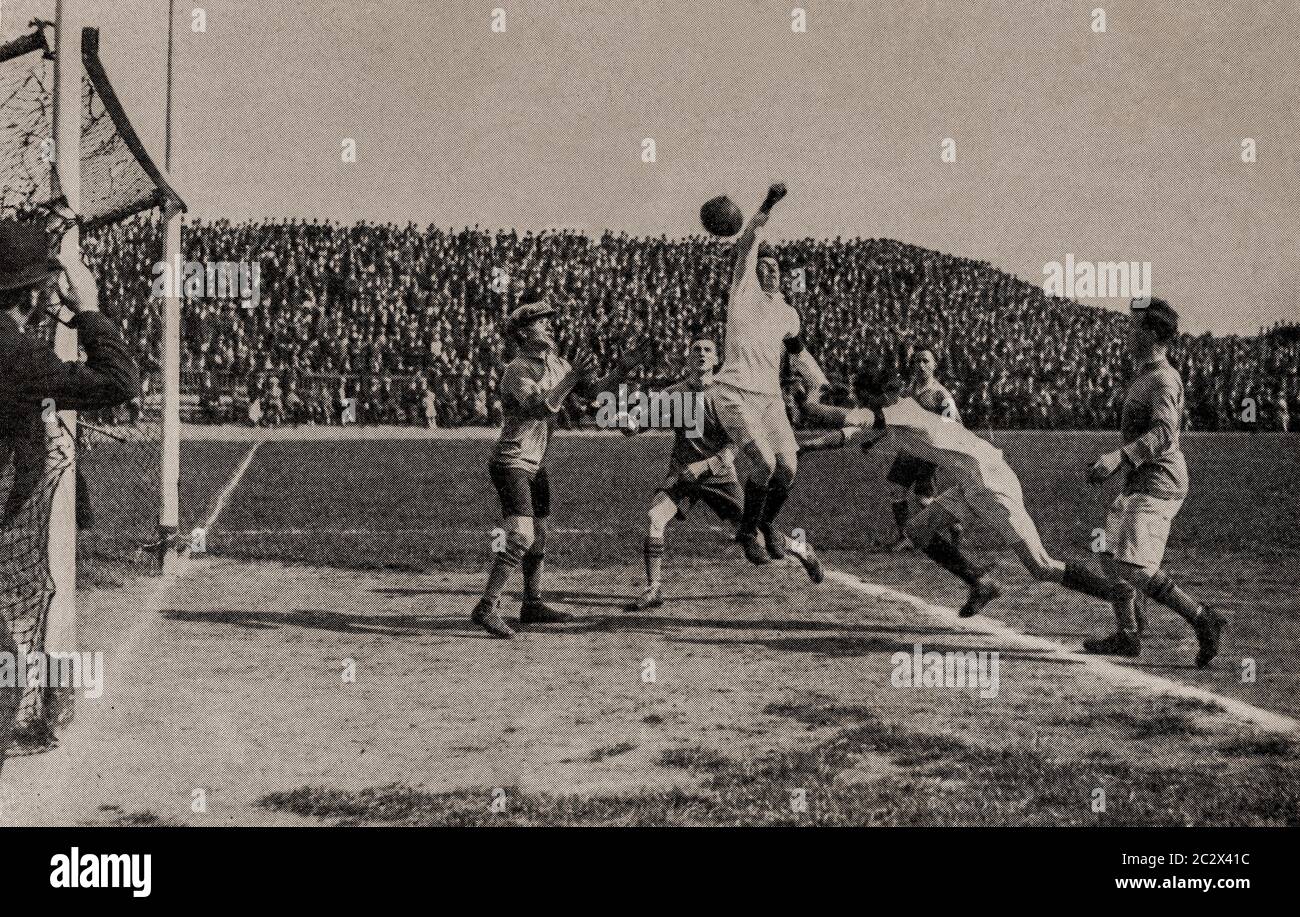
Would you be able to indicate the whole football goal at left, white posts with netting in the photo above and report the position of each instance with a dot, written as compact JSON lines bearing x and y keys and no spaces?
{"x":124,"y":465}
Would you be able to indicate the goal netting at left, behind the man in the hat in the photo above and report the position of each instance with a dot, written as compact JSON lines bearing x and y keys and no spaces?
{"x":119,"y":452}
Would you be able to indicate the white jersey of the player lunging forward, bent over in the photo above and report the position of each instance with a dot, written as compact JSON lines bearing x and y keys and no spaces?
{"x":943,"y":443}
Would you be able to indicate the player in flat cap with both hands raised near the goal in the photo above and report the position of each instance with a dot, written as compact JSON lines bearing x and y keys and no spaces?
{"x":534,"y":390}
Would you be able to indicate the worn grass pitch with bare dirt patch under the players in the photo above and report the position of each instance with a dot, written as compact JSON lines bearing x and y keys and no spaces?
{"x":770,"y":702}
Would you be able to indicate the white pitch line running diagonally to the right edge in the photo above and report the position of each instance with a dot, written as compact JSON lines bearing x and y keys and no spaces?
{"x":1104,"y":669}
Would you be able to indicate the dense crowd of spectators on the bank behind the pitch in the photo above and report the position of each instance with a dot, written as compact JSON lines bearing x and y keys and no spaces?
{"x":369,"y":323}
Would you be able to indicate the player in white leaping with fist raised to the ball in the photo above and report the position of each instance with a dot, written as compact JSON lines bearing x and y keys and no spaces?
{"x":761,"y":326}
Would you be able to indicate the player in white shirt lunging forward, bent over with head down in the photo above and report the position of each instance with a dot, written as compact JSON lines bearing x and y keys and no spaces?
{"x":986,"y":488}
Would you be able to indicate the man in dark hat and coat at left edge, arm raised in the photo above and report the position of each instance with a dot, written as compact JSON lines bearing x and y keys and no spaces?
{"x":33,"y":283}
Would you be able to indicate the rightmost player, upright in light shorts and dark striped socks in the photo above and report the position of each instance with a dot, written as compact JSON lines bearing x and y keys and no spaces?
{"x":1155,"y":487}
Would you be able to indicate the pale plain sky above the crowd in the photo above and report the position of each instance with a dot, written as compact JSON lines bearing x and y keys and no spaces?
{"x":1121,"y":146}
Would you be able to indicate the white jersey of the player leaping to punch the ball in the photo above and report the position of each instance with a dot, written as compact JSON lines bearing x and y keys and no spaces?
{"x":757,"y":327}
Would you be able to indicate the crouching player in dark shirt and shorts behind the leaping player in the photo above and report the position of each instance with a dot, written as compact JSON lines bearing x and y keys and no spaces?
{"x":701,"y":470}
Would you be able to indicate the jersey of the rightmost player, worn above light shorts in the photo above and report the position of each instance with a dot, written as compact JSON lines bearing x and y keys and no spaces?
{"x":1150,"y":426}
